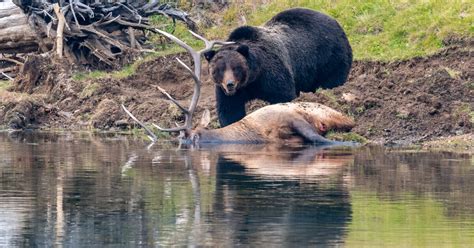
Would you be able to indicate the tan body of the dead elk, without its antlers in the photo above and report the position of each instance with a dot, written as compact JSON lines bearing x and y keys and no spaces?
{"x":283,"y":123}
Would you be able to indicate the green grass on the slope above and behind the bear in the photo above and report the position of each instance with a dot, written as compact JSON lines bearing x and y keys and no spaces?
{"x":377,"y":29}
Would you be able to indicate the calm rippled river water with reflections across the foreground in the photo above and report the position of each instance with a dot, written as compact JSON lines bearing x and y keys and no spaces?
{"x":86,"y":190}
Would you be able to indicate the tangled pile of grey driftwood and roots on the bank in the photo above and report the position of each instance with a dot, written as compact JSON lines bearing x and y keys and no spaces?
{"x":98,"y":33}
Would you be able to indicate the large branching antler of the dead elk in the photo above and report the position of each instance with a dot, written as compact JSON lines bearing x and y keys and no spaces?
{"x":196,"y":74}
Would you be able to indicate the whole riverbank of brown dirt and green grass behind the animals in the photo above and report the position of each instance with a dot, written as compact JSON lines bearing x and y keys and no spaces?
{"x":411,"y":82}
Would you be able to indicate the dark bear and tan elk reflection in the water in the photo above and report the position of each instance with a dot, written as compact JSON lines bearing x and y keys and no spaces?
{"x":272,"y":196}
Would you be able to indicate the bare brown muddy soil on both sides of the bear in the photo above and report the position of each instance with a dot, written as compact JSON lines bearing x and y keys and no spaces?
{"x":401,"y":102}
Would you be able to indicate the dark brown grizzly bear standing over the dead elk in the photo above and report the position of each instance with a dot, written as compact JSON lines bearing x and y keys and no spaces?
{"x":297,"y":50}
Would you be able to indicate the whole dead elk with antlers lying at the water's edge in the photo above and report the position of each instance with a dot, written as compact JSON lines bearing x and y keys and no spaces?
{"x":279,"y":123}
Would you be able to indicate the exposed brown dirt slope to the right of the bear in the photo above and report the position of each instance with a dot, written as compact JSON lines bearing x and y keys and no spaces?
{"x":409,"y":101}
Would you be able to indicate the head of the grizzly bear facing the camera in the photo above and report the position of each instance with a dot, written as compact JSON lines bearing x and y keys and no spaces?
{"x":229,"y":67}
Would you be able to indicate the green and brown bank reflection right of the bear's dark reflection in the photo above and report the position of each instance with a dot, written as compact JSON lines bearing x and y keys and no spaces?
{"x":406,"y":199}
